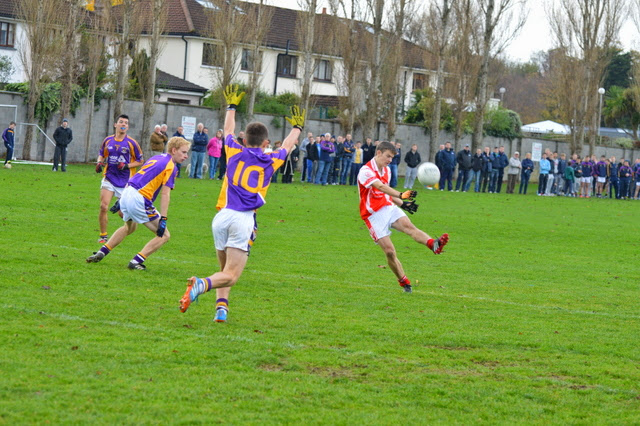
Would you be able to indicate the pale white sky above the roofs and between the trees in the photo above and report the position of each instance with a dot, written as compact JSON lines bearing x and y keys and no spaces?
{"x":535,"y":35}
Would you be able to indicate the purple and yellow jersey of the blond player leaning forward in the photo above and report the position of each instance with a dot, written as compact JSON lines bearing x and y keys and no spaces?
{"x":157,"y":171}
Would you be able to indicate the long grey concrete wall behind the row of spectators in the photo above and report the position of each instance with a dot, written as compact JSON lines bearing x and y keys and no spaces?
{"x":172,"y":114}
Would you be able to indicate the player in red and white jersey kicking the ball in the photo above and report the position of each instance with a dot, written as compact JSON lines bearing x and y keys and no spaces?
{"x":380,"y":208}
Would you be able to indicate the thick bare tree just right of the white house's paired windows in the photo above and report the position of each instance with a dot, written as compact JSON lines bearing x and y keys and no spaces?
{"x":349,"y":46}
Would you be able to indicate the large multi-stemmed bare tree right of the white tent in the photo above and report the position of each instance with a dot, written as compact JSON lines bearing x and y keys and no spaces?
{"x":586,"y":30}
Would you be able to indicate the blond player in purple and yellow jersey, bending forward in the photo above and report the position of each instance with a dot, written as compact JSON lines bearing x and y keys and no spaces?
{"x":156,"y":176}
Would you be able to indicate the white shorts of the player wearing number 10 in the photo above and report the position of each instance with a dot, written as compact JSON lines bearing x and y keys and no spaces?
{"x":234,"y":229}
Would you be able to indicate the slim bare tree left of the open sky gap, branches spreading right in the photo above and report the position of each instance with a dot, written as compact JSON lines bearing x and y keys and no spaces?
{"x":501,"y":21}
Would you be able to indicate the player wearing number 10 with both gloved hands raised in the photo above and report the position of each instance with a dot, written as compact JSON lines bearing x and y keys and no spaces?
{"x":243,"y":192}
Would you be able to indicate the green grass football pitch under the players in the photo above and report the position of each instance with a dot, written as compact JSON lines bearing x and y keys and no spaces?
{"x":530,"y":316}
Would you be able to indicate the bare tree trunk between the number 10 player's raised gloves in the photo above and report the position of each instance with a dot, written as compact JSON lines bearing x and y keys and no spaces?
{"x":260,"y":14}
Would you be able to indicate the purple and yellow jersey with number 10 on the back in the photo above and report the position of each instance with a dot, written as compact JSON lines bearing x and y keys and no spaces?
{"x":249,"y":172}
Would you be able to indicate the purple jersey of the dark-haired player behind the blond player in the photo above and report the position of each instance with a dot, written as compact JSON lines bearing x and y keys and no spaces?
{"x":114,"y":152}
